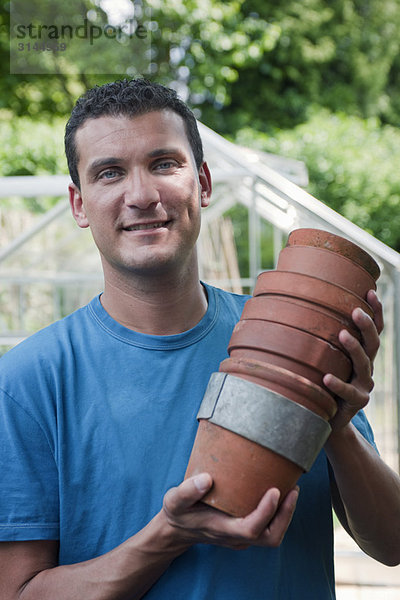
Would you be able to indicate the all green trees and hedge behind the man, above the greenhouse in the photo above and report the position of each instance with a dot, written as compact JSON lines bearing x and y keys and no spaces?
{"x":250,"y":66}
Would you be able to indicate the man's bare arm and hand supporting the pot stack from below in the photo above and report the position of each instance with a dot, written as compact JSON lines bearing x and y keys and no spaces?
{"x":29,"y":571}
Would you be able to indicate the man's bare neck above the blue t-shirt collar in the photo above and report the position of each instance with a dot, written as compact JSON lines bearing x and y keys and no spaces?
{"x":161,"y":306}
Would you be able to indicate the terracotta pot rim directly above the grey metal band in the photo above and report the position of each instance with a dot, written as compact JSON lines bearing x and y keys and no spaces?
{"x":284,"y":378}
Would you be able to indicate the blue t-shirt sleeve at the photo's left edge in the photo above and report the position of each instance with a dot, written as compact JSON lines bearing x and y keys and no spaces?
{"x":29,"y":501}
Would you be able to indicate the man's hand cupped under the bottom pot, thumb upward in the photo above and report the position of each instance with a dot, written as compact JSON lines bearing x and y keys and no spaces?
{"x":195,"y":522}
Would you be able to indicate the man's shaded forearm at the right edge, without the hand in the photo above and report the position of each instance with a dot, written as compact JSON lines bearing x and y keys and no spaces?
{"x":370,"y":493}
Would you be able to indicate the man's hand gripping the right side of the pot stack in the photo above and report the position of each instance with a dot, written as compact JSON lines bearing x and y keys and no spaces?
{"x":354,"y":396}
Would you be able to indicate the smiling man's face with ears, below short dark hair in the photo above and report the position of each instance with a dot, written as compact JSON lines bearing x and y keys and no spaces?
{"x":141,"y":192}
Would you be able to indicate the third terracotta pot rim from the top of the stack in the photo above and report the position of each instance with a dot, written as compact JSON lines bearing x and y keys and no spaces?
{"x":313,"y":282}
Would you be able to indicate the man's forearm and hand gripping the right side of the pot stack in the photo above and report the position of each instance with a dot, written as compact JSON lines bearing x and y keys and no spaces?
{"x":365,"y":491}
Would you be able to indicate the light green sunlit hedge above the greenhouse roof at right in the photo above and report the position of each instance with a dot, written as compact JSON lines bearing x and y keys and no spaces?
{"x":352,"y":166}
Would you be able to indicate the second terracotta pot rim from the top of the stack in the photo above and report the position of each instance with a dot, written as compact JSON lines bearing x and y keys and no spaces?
{"x":359,"y":275}
